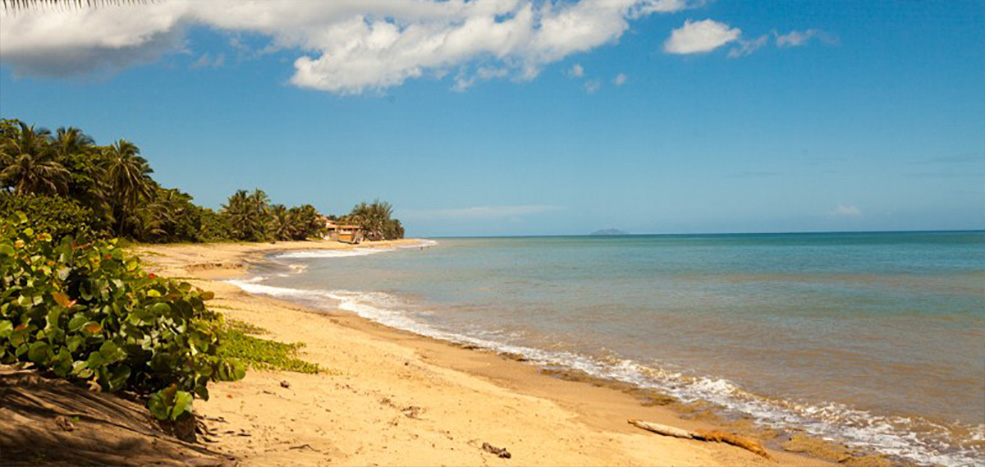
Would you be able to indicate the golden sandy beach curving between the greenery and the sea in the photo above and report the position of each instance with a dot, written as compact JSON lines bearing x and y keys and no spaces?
{"x":388,"y":397}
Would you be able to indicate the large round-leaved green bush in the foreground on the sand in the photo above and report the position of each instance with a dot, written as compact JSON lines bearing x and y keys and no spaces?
{"x":88,"y":312}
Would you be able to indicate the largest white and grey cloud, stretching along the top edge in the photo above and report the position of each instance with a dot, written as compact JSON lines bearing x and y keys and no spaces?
{"x":346,"y":46}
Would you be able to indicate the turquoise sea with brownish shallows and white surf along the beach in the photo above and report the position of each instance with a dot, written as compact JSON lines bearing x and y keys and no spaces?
{"x":873,"y":339}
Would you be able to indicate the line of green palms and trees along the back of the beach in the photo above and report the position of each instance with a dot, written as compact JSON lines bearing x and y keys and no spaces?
{"x":67,"y":184}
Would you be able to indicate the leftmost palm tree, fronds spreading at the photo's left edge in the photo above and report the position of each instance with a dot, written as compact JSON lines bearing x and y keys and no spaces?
{"x":29,"y":163}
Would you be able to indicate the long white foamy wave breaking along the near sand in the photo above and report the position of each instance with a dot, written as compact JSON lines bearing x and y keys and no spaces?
{"x":915,"y":439}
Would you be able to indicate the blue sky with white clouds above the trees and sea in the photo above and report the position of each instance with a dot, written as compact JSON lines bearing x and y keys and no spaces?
{"x":532,"y":117}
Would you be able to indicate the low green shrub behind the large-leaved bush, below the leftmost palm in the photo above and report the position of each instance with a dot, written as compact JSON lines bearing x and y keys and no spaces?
{"x":54,"y":215}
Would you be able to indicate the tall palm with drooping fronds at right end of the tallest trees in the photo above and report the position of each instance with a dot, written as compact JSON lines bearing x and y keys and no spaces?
{"x":128,"y":176}
